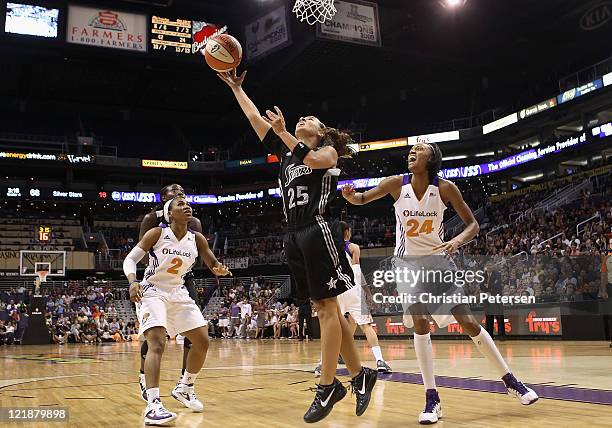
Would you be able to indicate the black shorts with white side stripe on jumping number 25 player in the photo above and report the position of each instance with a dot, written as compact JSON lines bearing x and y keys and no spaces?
{"x":318,"y":262}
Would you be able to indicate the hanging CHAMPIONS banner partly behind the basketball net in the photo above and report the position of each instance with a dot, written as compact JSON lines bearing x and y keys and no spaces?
{"x":354,"y":22}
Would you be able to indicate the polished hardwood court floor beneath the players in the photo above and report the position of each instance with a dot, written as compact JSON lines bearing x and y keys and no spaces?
{"x":265,"y":384}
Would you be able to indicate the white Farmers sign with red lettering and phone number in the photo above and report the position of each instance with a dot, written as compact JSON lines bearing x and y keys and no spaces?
{"x":106,"y":28}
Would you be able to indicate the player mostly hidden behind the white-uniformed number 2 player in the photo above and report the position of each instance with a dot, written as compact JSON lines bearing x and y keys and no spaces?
{"x":151,"y":220}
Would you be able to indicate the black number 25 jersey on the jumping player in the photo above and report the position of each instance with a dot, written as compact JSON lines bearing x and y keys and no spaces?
{"x":306,"y":192}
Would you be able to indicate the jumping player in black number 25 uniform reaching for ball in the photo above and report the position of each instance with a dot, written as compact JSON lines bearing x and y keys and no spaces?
{"x":308,"y":181}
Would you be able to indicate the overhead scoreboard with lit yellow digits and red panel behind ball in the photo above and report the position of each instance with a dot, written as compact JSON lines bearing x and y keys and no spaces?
{"x":181,"y":36}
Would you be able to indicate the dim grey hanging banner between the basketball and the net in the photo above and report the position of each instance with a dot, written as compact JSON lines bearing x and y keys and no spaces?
{"x":267,"y":34}
